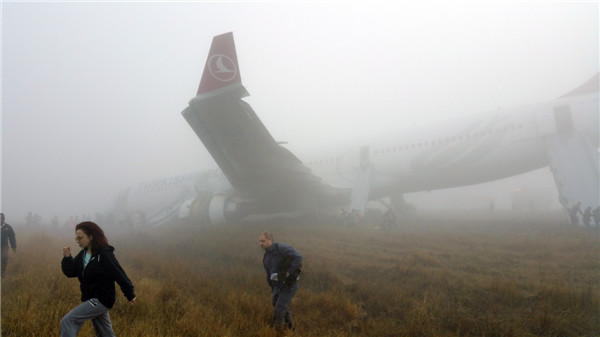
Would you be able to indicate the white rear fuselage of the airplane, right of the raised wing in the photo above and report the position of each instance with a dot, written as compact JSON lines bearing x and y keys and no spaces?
{"x":460,"y":152}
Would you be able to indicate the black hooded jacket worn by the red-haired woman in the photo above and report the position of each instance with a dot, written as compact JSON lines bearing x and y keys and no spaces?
{"x":98,"y":278}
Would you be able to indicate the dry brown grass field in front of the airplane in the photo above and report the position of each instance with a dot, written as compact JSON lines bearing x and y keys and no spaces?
{"x":469,"y":274}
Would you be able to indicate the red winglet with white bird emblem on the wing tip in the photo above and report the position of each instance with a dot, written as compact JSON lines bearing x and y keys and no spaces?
{"x":221,"y":69}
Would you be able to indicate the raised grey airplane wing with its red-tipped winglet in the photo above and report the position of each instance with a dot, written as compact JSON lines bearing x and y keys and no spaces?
{"x":254,"y":163}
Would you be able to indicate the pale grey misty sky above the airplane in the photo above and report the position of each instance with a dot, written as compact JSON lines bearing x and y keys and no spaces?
{"x":92,"y":93}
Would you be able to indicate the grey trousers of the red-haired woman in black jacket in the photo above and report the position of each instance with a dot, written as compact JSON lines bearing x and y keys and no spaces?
{"x":90,"y":309}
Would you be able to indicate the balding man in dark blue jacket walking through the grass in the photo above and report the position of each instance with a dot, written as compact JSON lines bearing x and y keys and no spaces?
{"x":282,"y":264}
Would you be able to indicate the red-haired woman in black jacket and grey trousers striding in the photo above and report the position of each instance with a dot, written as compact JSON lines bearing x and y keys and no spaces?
{"x":97,"y":270}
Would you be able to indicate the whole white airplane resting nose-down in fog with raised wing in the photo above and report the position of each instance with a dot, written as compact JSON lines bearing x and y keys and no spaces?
{"x":259,"y":175}
